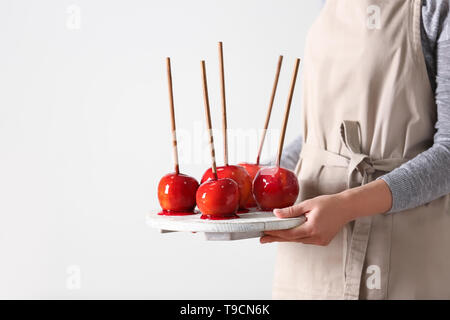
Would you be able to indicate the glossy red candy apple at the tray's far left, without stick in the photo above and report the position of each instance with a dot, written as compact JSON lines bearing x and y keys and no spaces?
{"x":176,"y":193}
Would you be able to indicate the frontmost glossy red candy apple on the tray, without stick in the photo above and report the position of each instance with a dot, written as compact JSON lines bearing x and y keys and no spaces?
{"x":218,"y":199}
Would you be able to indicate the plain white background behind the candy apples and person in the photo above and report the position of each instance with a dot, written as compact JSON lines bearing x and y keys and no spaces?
{"x":85,"y":138}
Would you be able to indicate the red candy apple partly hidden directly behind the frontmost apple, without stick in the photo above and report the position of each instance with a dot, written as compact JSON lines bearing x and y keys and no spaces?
{"x":239,"y":175}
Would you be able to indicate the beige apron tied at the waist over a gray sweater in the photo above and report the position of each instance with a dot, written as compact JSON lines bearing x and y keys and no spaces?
{"x":367,"y":108}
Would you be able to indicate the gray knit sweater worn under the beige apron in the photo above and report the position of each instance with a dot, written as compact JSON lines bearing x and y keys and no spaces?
{"x":427,"y":176}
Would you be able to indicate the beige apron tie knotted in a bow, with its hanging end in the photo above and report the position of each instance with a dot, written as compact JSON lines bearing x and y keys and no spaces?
{"x":366,"y":167}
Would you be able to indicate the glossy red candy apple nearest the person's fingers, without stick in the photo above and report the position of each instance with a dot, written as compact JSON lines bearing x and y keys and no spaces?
{"x":275,"y":187}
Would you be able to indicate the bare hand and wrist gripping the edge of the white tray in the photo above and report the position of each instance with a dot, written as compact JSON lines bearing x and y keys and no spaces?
{"x":326,"y":215}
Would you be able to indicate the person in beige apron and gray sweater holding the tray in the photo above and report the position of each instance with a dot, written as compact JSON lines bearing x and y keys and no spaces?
{"x":374,"y":167}
